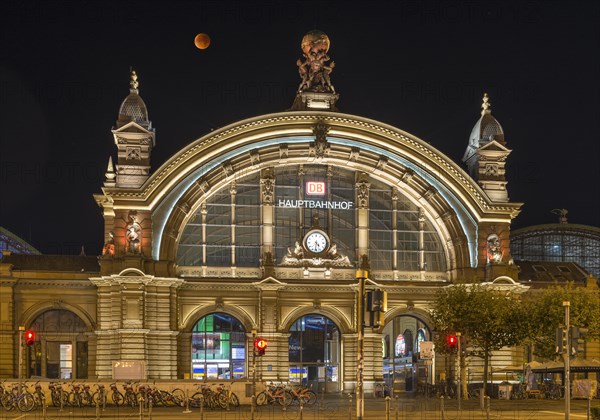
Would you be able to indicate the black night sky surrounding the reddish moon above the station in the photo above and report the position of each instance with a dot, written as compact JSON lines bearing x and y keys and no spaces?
{"x":420,"y":66}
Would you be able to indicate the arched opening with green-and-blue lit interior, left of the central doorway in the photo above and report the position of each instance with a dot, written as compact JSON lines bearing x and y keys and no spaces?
{"x":218,"y":348}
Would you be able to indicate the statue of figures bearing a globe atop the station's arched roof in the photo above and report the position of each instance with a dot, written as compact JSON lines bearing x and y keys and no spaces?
{"x":314,"y":71}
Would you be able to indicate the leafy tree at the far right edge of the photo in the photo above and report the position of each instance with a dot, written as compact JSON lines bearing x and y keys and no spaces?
{"x":545,"y":314}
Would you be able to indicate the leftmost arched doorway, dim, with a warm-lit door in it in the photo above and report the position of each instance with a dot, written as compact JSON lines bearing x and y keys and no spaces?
{"x":60,"y":350}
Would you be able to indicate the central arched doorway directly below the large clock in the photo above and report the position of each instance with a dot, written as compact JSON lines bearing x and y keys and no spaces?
{"x":314,"y":353}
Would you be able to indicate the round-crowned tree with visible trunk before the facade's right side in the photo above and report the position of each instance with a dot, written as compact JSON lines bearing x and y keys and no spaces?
{"x":488,"y":317}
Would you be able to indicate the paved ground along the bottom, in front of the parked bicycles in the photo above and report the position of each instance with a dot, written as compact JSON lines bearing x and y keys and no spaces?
{"x":338,"y":407}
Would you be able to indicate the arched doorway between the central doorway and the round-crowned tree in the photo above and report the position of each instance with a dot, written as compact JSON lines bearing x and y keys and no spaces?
{"x":402,"y":368}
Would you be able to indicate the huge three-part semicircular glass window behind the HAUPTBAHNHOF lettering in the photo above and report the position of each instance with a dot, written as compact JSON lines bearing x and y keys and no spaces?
{"x":225,"y":230}
